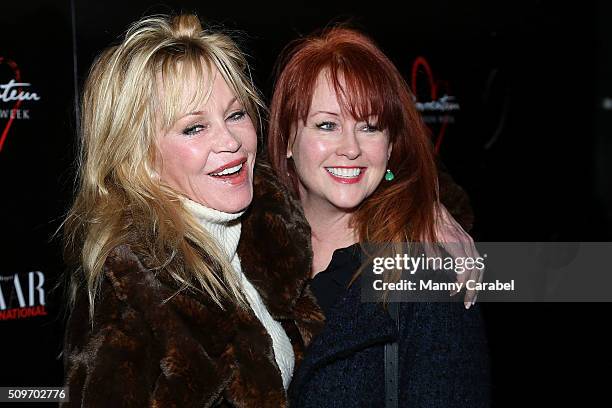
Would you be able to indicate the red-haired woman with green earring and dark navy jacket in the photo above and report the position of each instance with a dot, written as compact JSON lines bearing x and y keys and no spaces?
{"x":346,"y":137}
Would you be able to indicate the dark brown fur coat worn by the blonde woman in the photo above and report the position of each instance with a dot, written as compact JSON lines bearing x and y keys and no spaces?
{"x":188,"y":352}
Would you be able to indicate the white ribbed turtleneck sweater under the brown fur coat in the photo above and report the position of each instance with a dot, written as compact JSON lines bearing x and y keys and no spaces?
{"x":225,"y":228}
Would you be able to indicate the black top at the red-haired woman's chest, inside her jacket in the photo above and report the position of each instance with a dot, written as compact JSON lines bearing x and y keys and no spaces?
{"x":329,"y":285}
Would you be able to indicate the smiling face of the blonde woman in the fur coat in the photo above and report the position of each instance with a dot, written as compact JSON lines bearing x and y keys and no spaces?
{"x":208,"y":154}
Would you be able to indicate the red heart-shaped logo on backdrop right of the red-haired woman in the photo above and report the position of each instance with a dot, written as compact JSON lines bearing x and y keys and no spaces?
{"x":433,"y":99}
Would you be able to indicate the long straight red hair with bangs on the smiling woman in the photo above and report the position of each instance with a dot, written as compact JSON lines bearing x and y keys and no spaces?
{"x":367,"y":83}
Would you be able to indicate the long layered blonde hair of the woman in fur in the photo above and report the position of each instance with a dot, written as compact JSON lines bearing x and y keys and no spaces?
{"x":119,"y":199}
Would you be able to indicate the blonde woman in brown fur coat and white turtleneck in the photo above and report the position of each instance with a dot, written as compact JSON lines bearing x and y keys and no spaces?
{"x":189,"y":261}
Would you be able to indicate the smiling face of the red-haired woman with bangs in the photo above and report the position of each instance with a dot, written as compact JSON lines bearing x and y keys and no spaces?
{"x":339,"y":160}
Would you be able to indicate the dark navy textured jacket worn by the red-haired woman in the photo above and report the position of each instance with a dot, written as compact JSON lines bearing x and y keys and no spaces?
{"x":443,"y":356}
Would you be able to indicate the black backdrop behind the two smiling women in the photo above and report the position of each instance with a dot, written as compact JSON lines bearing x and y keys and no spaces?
{"x":531,"y":145}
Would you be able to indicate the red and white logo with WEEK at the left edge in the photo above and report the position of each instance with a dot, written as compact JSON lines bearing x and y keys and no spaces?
{"x":12,"y":93}
